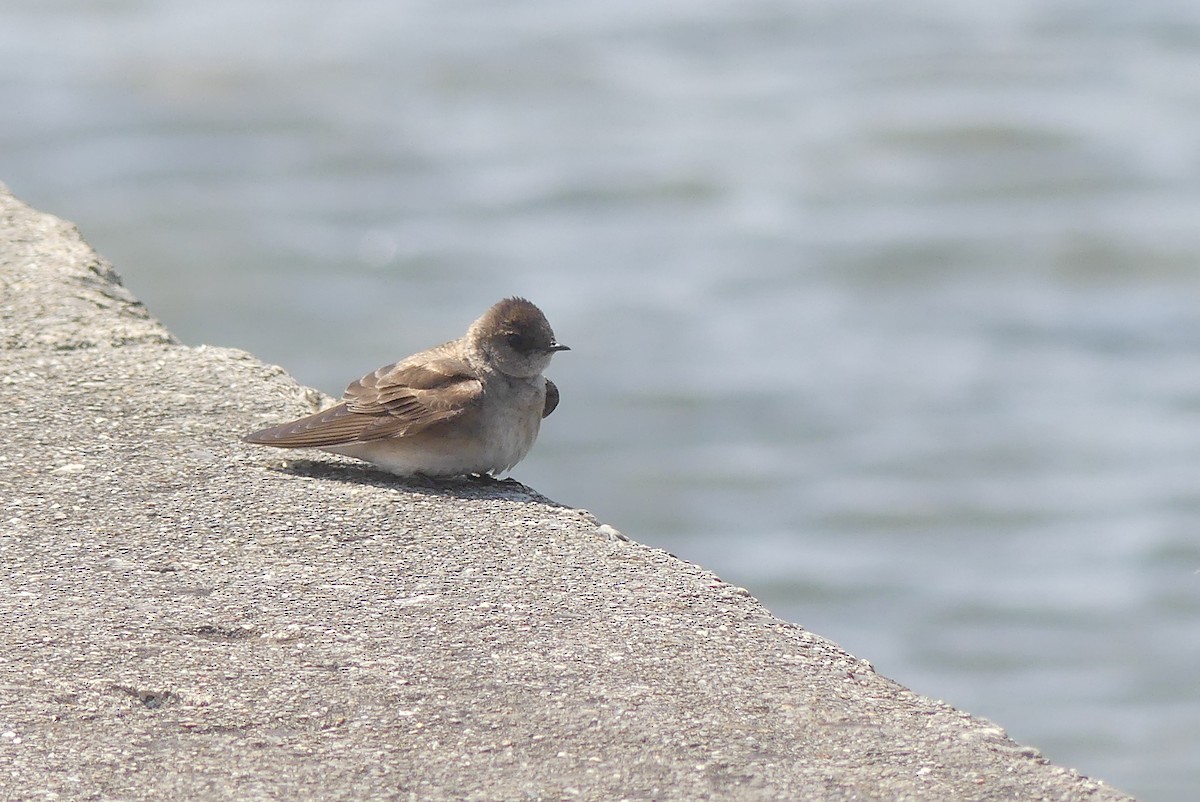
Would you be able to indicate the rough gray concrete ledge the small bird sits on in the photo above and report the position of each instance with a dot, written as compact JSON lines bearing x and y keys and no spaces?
{"x":185,"y":618}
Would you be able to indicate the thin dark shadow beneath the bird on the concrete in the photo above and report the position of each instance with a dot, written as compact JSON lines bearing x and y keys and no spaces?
{"x":475,"y":487}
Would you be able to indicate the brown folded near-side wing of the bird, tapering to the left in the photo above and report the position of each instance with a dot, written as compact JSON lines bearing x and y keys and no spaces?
{"x":394,"y":402}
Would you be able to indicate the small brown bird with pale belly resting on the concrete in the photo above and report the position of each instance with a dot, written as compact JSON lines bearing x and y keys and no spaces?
{"x":472,"y":405}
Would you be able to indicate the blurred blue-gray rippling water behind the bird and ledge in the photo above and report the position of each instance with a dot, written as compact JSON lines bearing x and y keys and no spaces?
{"x":887,"y":312}
